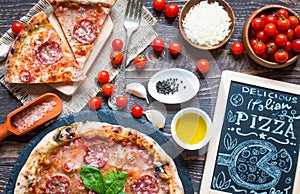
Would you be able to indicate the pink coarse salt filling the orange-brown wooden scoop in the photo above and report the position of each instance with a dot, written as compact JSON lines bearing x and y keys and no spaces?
{"x":28,"y":117}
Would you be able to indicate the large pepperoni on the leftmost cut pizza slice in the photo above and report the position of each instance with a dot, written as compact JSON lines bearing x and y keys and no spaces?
{"x":49,"y":52}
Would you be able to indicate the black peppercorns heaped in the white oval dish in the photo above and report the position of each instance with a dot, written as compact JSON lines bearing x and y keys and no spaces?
{"x":168,"y":86}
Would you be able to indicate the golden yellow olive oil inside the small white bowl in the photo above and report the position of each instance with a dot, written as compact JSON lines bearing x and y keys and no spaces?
{"x":191,"y":128}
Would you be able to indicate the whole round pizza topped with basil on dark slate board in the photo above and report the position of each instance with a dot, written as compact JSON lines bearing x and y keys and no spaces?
{"x":95,"y":157}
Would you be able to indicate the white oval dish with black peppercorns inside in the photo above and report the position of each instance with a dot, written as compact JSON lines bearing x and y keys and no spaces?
{"x":173,"y":86}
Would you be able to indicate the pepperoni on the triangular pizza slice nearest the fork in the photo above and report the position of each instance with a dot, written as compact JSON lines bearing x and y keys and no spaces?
{"x":85,"y":32}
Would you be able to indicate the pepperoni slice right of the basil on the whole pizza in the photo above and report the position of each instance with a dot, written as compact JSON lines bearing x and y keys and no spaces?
{"x":145,"y":184}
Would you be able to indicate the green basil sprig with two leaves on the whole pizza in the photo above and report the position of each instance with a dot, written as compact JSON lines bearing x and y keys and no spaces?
{"x":112,"y":183}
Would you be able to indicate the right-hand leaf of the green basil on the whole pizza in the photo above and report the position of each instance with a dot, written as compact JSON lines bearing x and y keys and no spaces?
{"x":114,"y":181}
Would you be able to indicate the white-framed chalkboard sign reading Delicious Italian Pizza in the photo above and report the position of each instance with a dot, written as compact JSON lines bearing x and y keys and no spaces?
{"x":257,"y":149}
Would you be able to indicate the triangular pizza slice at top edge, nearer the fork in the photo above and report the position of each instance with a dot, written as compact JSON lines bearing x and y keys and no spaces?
{"x":81,"y":21}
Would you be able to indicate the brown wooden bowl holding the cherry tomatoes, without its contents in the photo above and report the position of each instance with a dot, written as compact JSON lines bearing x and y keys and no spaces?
{"x":248,"y":48}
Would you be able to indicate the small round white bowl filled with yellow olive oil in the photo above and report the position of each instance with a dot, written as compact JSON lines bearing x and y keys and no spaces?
{"x":190,"y":128}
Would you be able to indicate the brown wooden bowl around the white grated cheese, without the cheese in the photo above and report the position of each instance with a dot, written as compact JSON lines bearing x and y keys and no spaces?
{"x":186,"y":8}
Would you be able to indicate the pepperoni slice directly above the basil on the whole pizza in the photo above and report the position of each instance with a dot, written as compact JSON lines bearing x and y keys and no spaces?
{"x":97,"y":154}
